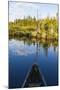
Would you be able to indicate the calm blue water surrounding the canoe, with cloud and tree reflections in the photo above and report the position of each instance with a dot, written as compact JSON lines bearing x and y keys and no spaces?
{"x":24,"y":53}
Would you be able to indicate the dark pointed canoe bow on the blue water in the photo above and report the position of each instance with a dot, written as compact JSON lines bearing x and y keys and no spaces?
{"x":34,"y":78}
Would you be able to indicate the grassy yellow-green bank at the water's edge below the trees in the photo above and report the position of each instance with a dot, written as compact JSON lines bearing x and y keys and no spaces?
{"x":33,"y":34}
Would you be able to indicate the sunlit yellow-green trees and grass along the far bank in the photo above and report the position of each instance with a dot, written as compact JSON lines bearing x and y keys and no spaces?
{"x":46,"y":28}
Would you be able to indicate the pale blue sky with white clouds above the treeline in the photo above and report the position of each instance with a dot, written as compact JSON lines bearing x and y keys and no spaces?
{"x":19,"y":10}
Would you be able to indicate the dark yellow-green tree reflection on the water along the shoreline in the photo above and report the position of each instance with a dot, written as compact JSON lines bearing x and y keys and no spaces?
{"x":42,"y":42}
